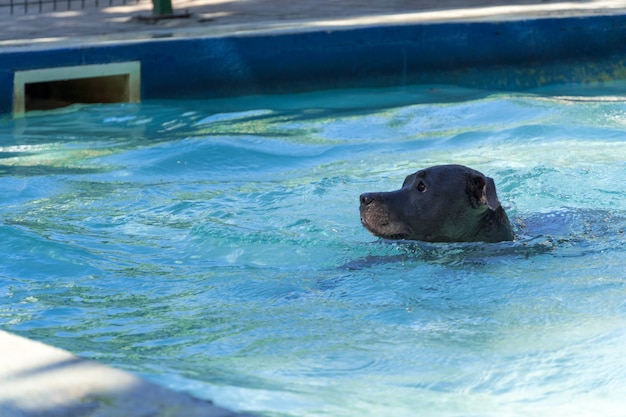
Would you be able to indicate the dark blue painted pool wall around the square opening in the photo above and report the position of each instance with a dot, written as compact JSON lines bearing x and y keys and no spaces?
{"x":506,"y":55}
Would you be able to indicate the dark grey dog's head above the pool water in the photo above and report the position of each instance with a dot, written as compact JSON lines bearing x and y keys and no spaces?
{"x":444,"y":203}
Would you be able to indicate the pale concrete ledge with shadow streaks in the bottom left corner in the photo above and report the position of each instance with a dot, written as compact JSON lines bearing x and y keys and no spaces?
{"x":43,"y":381}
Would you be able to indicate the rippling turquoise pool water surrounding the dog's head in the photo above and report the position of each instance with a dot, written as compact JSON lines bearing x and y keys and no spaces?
{"x":215,"y":247}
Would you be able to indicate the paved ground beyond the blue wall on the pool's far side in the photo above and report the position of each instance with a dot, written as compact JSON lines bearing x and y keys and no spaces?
{"x":114,"y":20}
